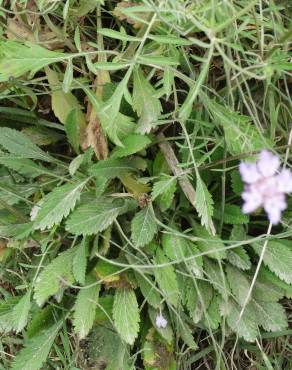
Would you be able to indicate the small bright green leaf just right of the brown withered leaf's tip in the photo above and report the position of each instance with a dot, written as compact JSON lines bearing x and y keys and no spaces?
{"x":131,"y":144}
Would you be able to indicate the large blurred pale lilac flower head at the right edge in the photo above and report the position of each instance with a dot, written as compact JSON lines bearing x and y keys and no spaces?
{"x":265,"y":186}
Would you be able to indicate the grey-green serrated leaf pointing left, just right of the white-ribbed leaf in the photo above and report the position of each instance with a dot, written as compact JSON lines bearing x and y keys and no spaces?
{"x":92,"y":218}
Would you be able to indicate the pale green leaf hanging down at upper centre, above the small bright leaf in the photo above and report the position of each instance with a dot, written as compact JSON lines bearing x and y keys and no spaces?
{"x":147,"y":106}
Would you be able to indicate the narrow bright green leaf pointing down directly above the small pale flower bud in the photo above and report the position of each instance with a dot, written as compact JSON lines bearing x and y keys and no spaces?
{"x":166,"y":278}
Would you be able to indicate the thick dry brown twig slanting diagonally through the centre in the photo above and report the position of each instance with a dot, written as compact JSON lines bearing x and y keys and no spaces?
{"x":173,"y":163}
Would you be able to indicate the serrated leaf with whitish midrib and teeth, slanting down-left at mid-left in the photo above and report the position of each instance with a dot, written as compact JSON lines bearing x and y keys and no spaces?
{"x":57,"y":204}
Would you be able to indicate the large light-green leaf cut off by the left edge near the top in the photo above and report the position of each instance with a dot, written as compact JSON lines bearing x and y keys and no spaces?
{"x":18,"y":58}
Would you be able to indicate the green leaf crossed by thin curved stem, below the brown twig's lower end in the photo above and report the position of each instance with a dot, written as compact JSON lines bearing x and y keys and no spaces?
{"x":210,"y":245}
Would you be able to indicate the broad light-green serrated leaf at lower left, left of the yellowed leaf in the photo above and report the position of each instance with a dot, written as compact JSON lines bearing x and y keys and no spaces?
{"x":53,"y":276}
